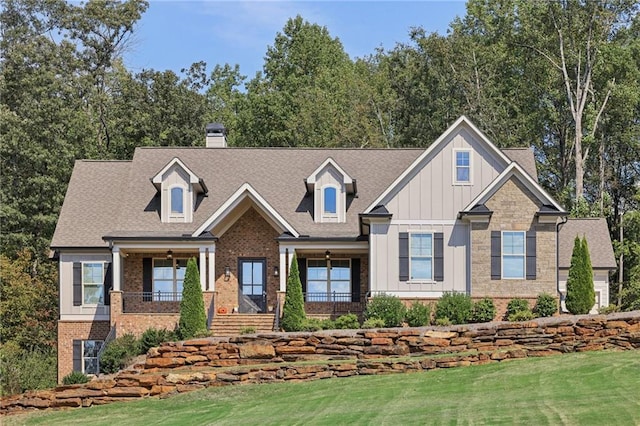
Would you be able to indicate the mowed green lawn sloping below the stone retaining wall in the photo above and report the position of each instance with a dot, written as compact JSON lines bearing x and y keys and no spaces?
{"x":601,"y":388}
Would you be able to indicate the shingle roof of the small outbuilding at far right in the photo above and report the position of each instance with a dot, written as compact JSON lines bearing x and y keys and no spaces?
{"x":597,"y":234}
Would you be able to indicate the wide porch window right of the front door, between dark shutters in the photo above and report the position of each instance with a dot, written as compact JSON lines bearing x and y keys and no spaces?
{"x":328,"y":280}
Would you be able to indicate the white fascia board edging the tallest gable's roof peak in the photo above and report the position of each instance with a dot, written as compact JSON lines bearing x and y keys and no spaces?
{"x":463,"y":120}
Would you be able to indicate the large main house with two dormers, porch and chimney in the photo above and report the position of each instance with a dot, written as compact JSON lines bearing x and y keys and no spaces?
{"x":461,"y":215}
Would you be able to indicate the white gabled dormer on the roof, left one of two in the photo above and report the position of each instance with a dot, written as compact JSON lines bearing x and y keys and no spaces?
{"x":179,"y":188}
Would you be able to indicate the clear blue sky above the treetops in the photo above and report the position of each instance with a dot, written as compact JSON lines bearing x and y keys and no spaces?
{"x":174,"y":34}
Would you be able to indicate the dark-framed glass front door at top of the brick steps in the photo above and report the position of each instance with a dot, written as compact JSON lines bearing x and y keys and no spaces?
{"x":252,"y":294}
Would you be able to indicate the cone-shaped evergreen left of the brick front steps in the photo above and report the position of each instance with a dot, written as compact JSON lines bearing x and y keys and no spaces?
{"x":193,"y":320}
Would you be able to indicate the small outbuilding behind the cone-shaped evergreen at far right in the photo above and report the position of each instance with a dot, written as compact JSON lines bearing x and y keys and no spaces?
{"x":603,"y":262}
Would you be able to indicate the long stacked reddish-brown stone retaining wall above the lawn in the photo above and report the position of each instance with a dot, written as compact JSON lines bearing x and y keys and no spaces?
{"x":196,"y":364}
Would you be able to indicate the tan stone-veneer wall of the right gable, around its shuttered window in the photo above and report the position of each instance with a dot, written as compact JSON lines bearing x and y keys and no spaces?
{"x":514,"y":209}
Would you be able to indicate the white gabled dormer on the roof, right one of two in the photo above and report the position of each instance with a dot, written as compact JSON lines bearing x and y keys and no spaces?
{"x":329,"y":185}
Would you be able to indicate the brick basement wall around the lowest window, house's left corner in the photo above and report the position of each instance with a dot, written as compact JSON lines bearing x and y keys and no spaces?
{"x":68,"y":331}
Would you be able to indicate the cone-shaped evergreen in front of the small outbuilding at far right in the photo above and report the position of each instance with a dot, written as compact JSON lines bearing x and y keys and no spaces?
{"x":580,"y":292}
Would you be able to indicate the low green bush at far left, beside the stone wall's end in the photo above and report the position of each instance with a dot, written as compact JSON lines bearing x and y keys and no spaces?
{"x":26,"y":369}
